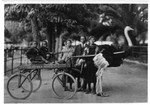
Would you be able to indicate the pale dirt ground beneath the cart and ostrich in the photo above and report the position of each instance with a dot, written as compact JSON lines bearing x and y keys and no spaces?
{"x":127,"y":83}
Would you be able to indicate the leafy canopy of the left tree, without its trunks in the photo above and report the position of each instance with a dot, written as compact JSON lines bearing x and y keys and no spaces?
{"x":69,"y":15}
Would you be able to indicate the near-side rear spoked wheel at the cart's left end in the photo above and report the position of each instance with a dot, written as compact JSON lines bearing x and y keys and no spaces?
{"x":15,"y":84}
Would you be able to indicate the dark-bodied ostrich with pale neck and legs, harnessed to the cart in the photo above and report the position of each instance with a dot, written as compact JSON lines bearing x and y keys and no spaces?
{"x":109,"y":56}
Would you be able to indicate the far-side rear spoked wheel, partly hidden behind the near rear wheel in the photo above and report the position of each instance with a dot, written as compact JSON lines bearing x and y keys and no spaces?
{"x":35,"y":76}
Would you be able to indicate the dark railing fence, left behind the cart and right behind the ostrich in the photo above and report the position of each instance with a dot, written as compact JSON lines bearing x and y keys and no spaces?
{"x":13,"y":58}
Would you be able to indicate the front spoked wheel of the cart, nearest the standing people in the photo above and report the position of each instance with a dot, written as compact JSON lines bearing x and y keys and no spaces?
{"x":64,"y":85}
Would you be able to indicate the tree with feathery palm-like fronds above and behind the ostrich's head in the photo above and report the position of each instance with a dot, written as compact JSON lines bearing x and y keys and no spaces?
{"x":134,"y":15}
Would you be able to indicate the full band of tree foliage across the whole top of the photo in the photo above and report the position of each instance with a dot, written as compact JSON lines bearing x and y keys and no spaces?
{"x":78,"y":17}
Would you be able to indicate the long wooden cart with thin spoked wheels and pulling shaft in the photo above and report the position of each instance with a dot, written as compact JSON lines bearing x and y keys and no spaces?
{"x":28,"y":79}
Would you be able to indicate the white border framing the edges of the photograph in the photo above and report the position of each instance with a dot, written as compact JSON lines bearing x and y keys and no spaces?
{"x":59,"y":2}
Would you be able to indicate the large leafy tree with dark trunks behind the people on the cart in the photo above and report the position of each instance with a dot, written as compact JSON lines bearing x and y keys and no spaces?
{"x":55,"y":17}
